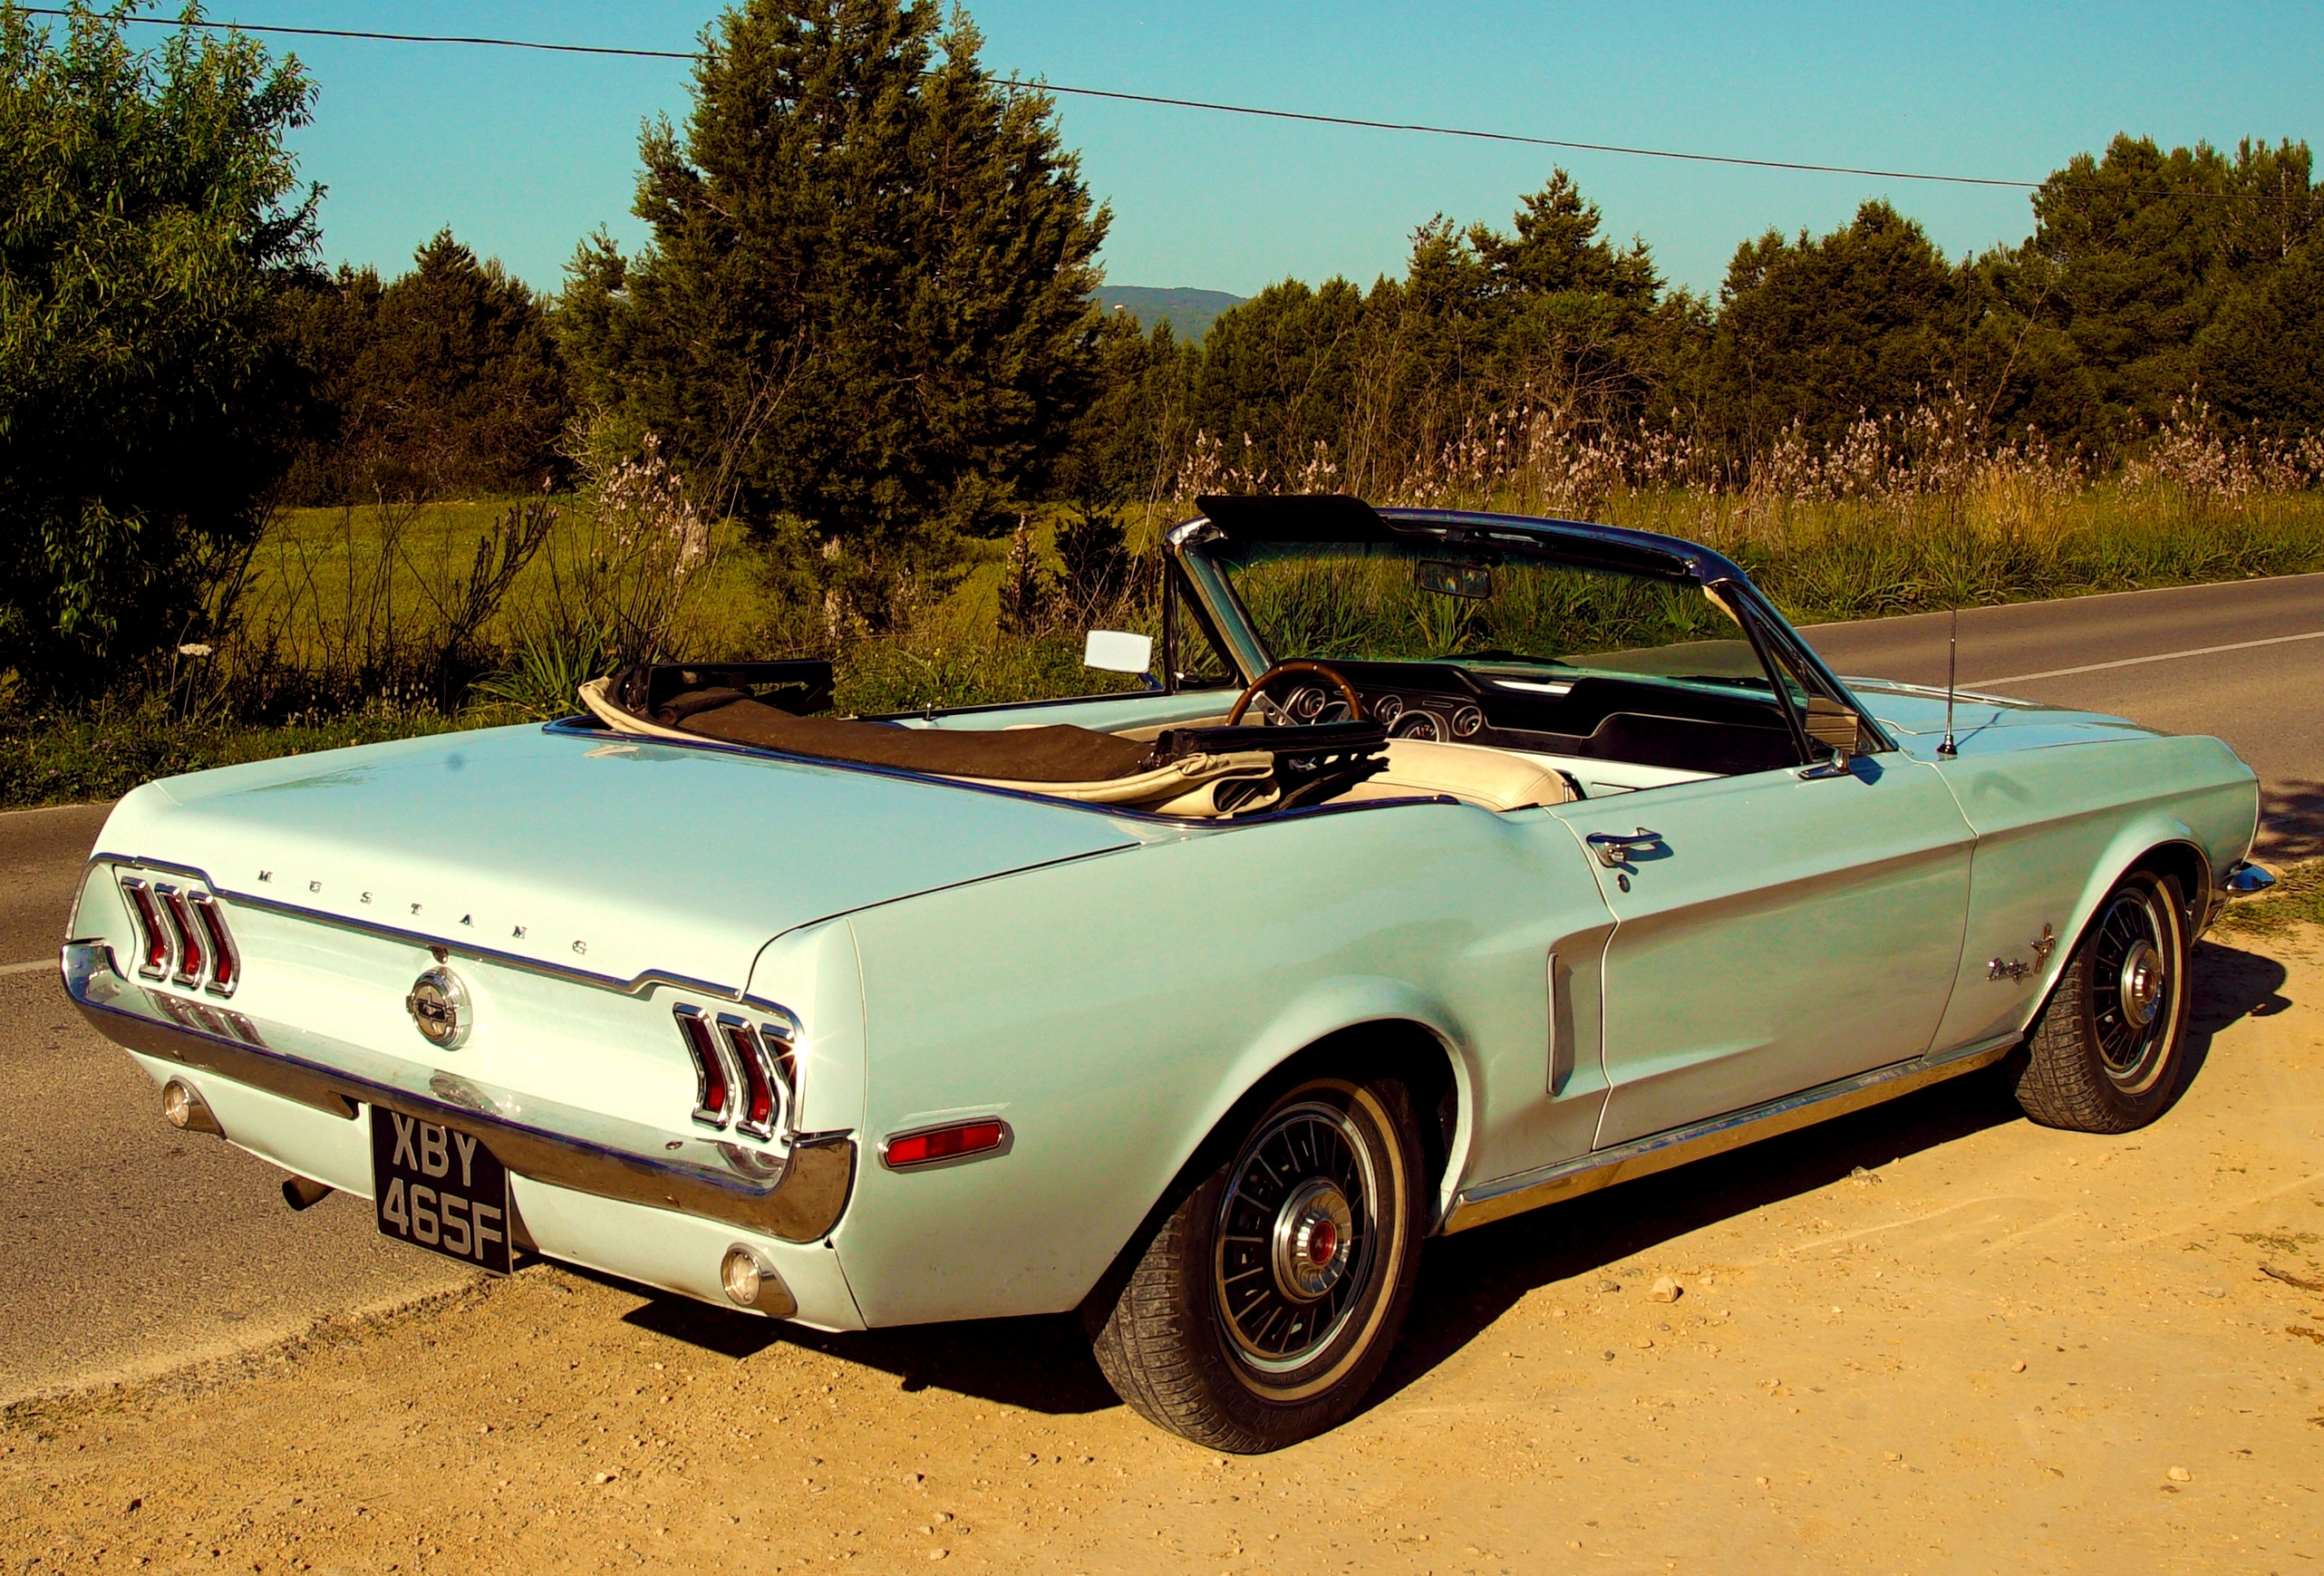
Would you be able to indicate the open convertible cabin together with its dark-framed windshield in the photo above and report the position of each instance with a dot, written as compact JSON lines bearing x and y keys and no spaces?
{"x":1440,"y":659}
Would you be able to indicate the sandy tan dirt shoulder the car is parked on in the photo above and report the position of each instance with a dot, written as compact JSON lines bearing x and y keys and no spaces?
{"x":1930,"y":1338}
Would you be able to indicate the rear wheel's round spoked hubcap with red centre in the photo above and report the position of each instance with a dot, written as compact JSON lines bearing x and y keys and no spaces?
{"x":1296,"y":1235}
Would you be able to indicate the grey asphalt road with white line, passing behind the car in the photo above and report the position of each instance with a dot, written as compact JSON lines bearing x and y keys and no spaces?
{"x":129,"y":1249}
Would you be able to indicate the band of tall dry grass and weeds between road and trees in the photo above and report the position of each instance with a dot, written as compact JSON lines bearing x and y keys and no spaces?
{"x":359,"y":624}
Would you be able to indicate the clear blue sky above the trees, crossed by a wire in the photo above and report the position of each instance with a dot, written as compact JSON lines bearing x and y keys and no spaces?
{"x":522,"y":155}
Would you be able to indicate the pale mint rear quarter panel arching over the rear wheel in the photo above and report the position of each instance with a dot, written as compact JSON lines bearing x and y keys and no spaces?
{"x":1114,"y":1010}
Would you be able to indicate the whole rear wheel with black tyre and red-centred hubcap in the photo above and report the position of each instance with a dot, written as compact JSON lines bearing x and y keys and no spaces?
{"x":1265,"y":1305}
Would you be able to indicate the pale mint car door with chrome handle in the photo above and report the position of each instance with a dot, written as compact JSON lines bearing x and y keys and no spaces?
{"x":1772,"y":933}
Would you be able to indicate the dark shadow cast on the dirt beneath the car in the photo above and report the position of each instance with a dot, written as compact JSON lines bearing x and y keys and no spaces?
{"x":1468,"y":1282}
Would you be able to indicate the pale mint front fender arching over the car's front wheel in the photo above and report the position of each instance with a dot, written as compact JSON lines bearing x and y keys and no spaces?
{"x":2056,"y":829}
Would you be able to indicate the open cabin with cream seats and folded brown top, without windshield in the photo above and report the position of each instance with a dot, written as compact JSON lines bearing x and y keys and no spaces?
{"x":1416,"y":731}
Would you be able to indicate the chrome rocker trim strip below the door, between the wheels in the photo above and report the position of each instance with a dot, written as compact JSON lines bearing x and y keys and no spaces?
{"x":1660,"y":1152}
